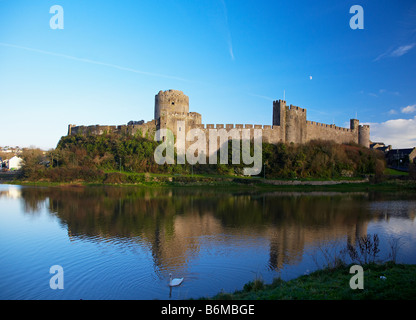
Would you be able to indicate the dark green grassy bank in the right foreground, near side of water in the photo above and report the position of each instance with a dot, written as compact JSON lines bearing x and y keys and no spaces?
{"x":333,"y":284}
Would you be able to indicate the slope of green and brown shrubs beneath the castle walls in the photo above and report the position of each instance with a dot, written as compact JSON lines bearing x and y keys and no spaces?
{"x":88,"y":158}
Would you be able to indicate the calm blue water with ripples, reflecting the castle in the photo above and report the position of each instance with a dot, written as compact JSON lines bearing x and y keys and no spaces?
{"x":122,"y":243}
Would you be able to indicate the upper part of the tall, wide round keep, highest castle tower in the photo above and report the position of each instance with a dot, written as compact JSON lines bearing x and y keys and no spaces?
{"x":171,"y":101}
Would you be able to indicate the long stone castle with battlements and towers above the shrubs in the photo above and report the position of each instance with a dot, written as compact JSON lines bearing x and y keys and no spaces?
{"x":289,"y":124}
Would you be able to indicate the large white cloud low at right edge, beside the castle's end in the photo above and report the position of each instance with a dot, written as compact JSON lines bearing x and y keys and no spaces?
{"x":400,"y":133}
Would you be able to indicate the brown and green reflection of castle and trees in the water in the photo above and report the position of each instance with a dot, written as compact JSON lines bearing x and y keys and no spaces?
{"x":174,"y":223}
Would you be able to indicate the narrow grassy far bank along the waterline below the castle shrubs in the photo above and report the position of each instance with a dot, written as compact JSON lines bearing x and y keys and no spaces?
{"x":357,"y":184}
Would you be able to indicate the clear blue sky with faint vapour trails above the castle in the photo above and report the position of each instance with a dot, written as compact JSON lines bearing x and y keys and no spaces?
{"x":232,"y":58}
